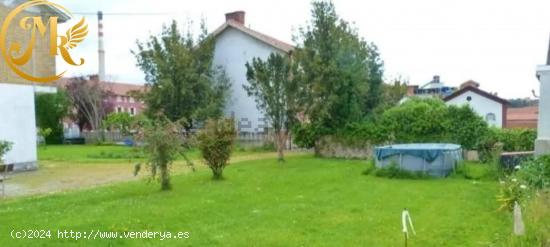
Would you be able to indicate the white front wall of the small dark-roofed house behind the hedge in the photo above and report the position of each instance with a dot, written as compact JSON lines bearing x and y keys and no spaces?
{"x":481,"y":105}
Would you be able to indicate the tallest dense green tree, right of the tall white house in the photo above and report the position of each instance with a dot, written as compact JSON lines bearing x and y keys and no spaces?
{"x":340,"y":71}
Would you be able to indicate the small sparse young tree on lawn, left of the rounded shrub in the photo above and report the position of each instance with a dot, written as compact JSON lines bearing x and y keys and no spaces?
{"x":163,"y":141}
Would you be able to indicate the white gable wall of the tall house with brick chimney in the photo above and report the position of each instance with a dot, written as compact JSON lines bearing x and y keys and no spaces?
{"x":233,"y":50}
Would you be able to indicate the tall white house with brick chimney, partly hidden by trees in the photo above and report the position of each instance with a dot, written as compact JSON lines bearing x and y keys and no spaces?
{"x":237,"y":44}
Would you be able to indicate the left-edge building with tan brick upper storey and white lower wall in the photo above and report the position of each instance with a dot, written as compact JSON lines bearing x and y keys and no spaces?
{"x":17,"y":110}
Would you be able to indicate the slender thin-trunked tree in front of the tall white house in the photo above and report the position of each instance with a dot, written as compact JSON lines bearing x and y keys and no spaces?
{"x":272,"y":85}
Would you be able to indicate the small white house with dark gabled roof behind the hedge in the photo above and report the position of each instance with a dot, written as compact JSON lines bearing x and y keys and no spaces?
{"x":491,"y":107}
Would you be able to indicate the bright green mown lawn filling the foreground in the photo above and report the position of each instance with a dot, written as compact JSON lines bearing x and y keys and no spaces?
{"x":305,"y":202}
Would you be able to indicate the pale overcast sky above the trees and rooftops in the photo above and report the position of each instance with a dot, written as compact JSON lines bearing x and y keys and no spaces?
{"x":497,"y":43}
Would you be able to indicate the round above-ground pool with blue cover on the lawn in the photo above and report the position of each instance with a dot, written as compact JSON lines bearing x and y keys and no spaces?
{"x":435,"y":159}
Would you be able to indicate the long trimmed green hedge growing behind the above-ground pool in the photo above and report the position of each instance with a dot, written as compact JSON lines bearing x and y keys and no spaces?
{"x":421,"y":120}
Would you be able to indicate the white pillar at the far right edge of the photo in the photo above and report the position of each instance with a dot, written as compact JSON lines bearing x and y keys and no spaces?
{"x":542,"y":145}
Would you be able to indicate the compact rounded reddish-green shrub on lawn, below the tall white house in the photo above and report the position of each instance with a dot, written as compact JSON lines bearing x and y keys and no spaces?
{"x":216,"y":142}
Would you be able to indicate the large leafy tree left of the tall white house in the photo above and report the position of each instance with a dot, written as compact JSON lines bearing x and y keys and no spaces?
{"x":183,"y":81}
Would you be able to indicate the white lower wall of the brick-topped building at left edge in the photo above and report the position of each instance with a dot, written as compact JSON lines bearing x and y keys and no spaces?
{"x":18,"y":124}
